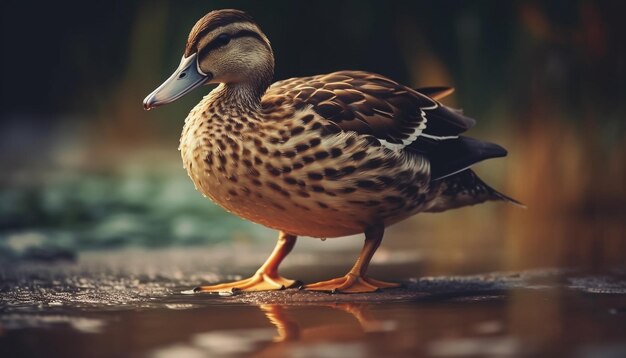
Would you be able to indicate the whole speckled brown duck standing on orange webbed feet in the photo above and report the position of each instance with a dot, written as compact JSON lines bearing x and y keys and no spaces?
{"x":322,"y":156}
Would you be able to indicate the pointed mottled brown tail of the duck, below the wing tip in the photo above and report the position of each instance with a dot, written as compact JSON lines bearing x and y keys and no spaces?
{"x":463,"y":189}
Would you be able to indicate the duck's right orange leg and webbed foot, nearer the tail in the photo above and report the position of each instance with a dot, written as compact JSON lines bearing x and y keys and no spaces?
{"x":355,"y":280}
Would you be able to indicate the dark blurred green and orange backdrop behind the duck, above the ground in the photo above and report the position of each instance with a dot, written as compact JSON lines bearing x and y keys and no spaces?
{"x":85,"y":168}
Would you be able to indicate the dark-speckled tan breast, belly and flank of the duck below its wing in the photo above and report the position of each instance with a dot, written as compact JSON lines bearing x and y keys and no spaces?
{"x":280,"y":172}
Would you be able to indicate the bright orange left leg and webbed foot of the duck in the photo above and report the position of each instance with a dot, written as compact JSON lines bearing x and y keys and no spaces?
{"x":266,"y":278}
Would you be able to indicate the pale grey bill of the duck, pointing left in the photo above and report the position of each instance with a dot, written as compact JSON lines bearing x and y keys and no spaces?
{"x":186,"y":77}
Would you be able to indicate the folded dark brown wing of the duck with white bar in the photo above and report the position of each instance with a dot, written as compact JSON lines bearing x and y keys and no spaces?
{"x":399,"y":117}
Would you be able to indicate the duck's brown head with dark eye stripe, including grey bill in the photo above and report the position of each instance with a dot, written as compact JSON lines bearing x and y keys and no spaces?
{"x":224,"y":46}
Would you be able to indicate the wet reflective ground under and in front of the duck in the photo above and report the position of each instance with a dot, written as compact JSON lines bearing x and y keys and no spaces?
{"x":129,"y":303}
